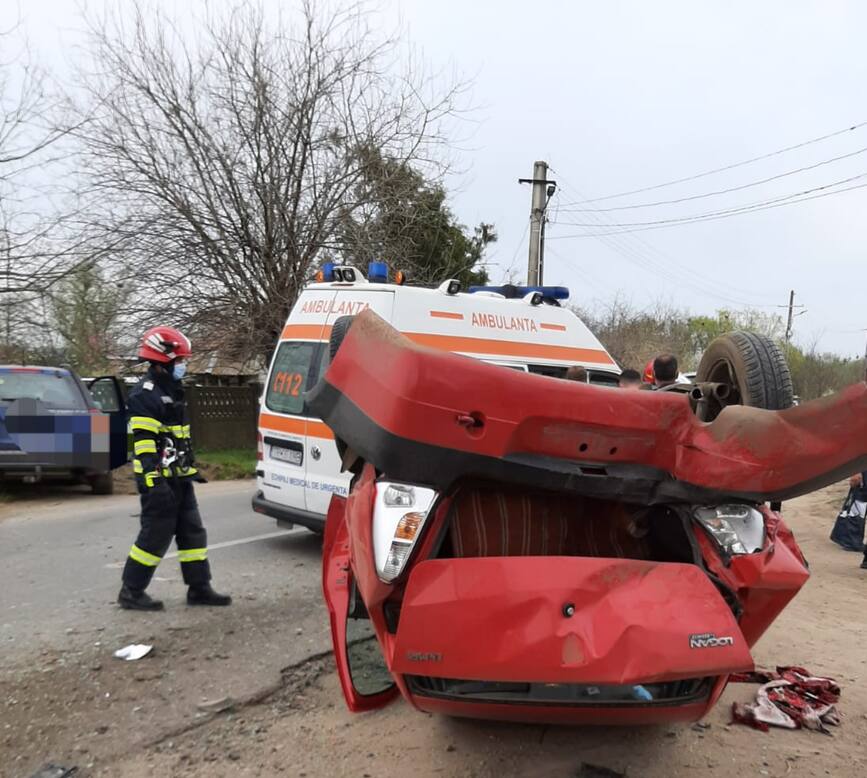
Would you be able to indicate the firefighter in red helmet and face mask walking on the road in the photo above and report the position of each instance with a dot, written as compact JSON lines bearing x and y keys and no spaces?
{"x":165,"y":471}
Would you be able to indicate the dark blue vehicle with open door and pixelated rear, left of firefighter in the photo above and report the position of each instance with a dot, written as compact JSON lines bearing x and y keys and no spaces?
{"x":55,"y":426}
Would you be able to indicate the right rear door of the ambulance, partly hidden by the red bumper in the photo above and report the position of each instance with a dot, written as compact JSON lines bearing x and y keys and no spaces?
{"x":323,"y":463}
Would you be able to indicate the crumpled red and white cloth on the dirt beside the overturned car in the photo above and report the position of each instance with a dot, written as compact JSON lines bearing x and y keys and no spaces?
{"x":790,"y":698}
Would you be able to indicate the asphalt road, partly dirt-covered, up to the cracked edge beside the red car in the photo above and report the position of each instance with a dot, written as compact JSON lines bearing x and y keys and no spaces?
{"x":61,"y":690}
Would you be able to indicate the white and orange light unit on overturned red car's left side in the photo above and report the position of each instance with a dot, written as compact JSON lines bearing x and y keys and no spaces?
{"x":399,"y":514}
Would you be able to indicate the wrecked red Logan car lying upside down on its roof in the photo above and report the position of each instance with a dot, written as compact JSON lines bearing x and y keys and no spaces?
{"x":520,"y":547}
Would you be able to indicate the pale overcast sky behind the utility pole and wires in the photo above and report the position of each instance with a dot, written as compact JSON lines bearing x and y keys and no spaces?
{"x":619,"y":96}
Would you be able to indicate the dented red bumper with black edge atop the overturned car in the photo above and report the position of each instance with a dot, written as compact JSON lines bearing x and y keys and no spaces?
{"x":432,"y":417}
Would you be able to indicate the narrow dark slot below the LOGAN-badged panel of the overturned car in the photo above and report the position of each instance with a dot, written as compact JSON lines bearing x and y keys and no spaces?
{"x":566,"y":694}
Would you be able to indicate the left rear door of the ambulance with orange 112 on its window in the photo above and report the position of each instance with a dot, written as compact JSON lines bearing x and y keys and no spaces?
{"x":284,"y":421}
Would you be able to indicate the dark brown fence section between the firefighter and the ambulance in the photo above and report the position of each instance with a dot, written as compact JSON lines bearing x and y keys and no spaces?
{"x":223,"y":416}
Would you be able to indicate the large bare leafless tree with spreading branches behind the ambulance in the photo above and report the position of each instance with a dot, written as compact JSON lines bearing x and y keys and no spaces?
{"x":225,"y":164}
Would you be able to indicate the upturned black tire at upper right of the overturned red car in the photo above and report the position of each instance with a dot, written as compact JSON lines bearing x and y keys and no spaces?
{"x":753,"y":366}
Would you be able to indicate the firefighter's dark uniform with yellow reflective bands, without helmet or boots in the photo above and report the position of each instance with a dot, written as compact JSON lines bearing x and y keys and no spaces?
{"x":160,"y":428}
